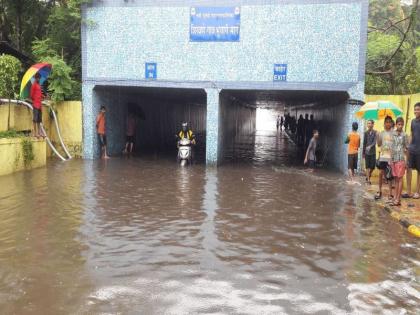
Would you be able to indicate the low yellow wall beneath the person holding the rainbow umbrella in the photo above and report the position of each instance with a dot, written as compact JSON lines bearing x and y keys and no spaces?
{"x":11,"y":155}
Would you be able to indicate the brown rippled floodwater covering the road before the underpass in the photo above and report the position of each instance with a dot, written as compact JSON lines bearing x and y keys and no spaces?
{"x":254,"y":236}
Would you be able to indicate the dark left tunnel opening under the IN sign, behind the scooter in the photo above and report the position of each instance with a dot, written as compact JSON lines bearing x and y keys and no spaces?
{"x":159,"y":113}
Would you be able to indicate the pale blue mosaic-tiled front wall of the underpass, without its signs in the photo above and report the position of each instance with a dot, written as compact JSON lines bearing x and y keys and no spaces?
{"x":323,"y":43}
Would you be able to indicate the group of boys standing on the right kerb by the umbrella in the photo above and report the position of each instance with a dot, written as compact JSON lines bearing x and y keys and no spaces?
{"x":399,"y":155}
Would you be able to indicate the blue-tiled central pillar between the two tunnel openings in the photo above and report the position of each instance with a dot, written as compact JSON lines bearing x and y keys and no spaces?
{"x":212,"y":126}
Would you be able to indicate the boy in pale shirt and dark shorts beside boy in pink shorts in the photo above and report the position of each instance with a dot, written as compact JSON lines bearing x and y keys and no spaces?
{"x":384,"y":141}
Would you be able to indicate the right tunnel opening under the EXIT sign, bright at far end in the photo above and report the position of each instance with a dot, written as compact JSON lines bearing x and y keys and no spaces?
{"x":248,"y":126}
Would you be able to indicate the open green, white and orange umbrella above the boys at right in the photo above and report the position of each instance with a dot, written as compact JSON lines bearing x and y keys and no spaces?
{"x":378,"y":110}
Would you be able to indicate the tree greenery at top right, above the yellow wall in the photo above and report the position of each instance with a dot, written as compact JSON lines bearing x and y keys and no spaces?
{"x":392,"y":65}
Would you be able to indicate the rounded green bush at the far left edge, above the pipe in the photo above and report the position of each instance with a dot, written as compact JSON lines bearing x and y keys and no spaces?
{"x":10,"y":68}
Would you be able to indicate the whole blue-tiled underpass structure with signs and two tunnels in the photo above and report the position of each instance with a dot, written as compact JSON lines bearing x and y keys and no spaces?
{"x":214,"y":62}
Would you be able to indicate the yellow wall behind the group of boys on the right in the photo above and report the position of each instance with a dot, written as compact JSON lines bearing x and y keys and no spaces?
{"x":406,"y":103}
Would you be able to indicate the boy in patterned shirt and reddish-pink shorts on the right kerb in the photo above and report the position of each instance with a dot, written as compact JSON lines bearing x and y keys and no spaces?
{"x":398,"y":156}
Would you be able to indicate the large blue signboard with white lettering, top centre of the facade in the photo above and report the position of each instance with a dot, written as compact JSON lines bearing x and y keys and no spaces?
{"x":215,"y":24}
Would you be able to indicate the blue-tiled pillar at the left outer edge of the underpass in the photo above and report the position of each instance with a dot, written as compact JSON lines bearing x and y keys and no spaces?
{"x":90,"y":104}
